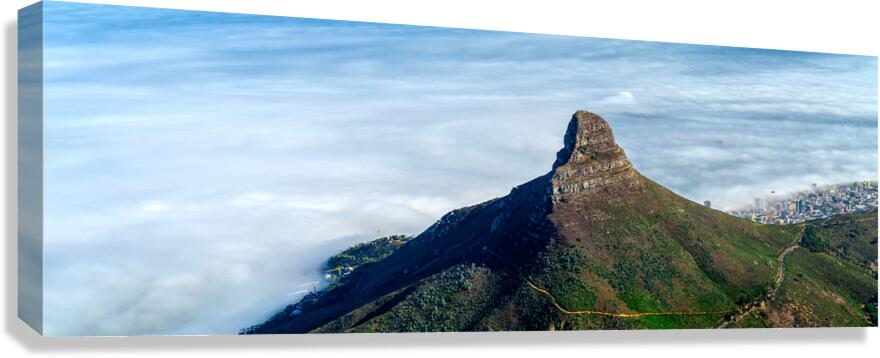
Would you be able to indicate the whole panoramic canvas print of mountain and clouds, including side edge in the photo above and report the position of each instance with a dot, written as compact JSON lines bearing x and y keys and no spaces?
{"x":202,"y":173}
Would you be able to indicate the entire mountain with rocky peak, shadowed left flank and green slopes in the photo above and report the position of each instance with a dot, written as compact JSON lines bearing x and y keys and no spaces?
{"x":593,"y":244}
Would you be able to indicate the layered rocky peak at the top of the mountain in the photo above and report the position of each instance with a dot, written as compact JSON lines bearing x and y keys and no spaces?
{"x":589,"y":159}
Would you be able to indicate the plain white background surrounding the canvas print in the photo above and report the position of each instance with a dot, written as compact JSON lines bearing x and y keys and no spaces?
{"x":839,"y":26}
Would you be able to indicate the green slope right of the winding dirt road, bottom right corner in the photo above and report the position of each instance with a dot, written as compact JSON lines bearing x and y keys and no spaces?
{"x":831,"y":281}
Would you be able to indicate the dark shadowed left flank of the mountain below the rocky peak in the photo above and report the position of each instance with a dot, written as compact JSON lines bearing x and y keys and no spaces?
{"x":514,"y":226}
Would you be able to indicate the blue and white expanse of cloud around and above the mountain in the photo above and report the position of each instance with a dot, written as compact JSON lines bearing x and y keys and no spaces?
{"x":199,"y":166}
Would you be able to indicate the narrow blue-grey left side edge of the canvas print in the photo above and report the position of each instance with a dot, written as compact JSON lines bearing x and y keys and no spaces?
{"x":30,"y":166}
